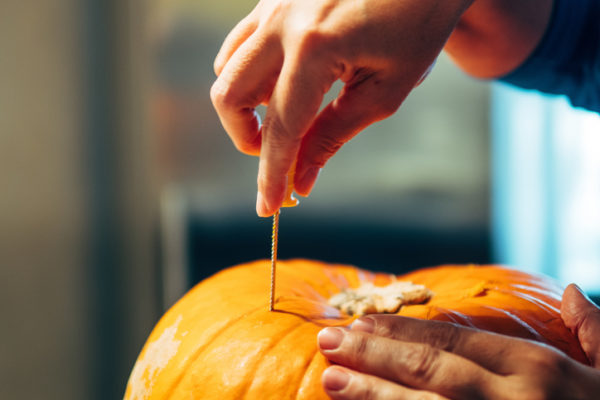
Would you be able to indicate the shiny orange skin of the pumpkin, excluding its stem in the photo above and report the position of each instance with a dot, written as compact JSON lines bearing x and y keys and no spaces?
{"x":221,"y":342}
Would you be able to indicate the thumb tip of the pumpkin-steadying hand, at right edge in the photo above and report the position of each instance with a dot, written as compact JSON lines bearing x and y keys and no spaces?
{"x":582,"y":317}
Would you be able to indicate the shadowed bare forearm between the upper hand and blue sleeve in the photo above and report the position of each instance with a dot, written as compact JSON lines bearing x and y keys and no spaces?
{"x":493,"y":37}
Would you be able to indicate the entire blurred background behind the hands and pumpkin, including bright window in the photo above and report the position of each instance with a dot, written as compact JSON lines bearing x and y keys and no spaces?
{"x":120,"y":189}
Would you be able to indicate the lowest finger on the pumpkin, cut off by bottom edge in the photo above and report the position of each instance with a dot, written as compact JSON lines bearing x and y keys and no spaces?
{"x":344,"y":384}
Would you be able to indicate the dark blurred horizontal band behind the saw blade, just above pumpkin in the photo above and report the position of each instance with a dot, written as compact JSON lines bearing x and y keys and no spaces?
{"x":216,"y":244}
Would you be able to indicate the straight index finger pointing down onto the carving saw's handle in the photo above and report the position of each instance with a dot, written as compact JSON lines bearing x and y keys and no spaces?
{"x":292,"y":108}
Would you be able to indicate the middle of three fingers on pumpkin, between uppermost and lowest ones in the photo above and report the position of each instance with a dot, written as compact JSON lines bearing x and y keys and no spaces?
{"x":417,"y":365}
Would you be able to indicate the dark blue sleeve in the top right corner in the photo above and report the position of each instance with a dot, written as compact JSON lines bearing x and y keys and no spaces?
{"x":567,"y":59}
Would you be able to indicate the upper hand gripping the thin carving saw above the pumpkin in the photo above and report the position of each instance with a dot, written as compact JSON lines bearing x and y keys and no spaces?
{"x":287,"y":54}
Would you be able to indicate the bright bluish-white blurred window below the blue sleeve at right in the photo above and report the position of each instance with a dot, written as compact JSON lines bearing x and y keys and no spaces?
{"x":546,"y":186}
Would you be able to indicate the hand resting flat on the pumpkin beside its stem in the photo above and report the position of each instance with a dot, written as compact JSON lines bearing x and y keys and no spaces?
{"x":390,"y":357}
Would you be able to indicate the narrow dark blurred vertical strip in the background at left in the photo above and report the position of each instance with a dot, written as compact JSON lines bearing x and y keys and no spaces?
{"x":104,"y":258}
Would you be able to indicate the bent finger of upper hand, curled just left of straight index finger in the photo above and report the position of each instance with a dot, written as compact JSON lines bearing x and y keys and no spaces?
{"x":245,"y":82}
